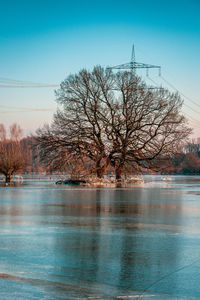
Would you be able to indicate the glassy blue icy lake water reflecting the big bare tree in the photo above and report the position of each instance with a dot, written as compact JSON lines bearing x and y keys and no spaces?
{"x":60,"y":242}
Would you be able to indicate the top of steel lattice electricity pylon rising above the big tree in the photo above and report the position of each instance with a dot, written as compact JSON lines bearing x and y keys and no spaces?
{"x":133,"y":65}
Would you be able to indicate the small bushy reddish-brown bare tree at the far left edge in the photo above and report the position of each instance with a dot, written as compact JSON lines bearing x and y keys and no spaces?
{"x":12,"y":154}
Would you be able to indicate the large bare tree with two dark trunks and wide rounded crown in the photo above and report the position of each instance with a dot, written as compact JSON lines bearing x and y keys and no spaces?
{"x":114,"y":119}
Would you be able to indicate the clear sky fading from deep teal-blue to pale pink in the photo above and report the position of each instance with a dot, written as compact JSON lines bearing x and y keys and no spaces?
{"x":44,"y":41}
